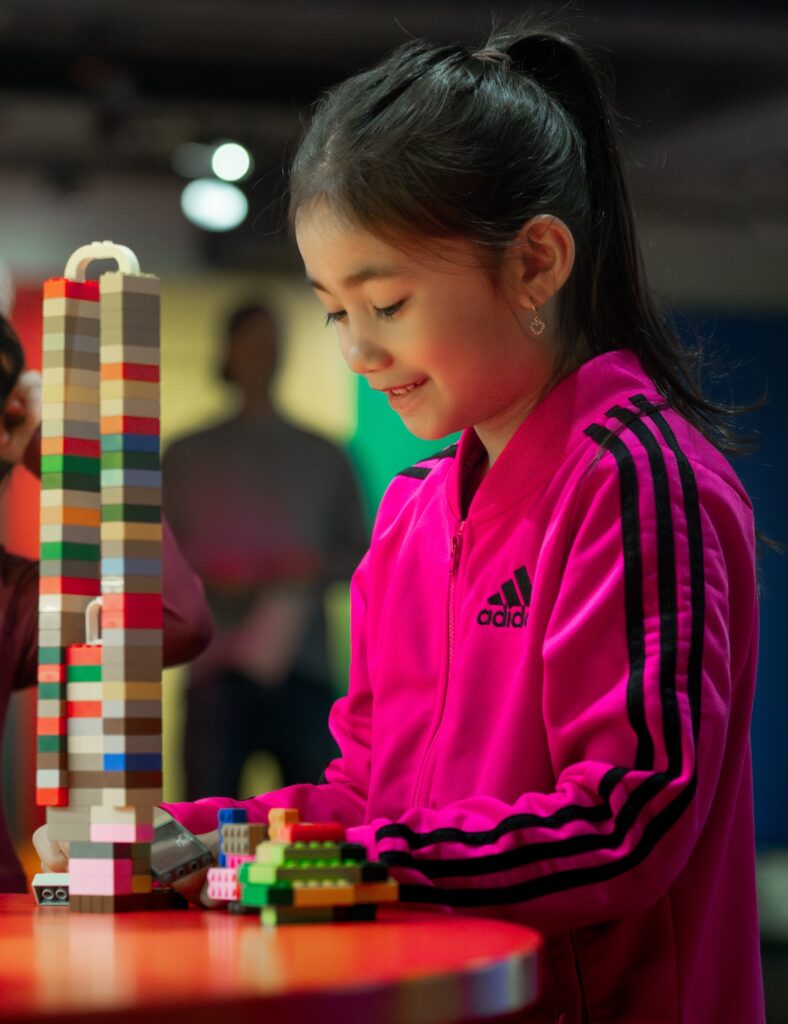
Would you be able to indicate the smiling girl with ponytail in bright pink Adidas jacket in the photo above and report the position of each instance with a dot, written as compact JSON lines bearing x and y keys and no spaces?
{"x":554,"y":632}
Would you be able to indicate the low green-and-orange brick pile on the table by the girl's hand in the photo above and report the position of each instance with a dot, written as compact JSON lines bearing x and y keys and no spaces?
{"x":300,"y":873}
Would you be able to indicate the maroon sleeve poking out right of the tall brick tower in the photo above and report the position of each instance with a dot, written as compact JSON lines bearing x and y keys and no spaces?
{"x":188,"y":622}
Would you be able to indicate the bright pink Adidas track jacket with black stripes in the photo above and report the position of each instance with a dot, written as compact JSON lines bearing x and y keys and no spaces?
{"x":550,"y":704}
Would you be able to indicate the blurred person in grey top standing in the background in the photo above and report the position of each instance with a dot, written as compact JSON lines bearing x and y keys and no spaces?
{"x":269,"y":515}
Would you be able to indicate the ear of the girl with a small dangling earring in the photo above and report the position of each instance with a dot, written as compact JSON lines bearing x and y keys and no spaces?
{"x":545,"y":258}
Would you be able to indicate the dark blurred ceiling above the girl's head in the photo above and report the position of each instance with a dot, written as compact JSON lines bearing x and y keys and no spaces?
{"x":95,"y":89}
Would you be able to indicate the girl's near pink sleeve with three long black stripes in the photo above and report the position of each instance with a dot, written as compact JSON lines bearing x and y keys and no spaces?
{"x":637,"y":696}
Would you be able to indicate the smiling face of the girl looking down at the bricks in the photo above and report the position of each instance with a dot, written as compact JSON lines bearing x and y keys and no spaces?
{"x":431,"y":330}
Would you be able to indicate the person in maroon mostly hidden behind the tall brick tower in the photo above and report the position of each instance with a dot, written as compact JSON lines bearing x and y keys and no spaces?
{"x":187,"y":618}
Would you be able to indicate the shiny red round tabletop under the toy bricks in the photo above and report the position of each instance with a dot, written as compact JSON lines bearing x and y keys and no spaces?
{"x":410,"y":967}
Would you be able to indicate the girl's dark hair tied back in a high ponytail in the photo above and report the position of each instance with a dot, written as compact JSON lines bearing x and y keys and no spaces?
{"x":448,"y":142}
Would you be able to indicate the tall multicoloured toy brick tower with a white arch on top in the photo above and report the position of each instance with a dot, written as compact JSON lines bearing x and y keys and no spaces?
{"x":100,"y":713}
